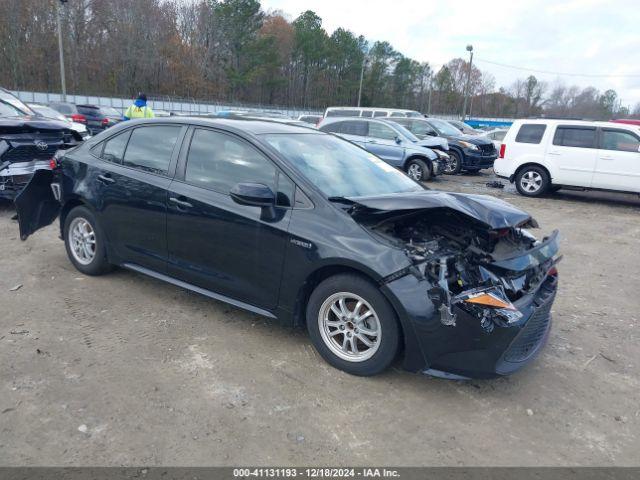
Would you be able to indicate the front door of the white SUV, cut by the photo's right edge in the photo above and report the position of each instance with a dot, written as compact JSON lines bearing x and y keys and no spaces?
{"x":618,"y":163}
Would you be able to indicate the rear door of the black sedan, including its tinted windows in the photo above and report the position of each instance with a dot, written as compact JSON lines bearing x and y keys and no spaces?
{"x":131,"y":180}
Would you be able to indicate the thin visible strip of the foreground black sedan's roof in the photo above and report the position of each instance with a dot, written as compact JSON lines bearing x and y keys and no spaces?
{"x":255,"y":127}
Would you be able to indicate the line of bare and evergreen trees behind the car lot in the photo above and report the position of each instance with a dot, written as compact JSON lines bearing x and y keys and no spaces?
{"x":235,"y":51}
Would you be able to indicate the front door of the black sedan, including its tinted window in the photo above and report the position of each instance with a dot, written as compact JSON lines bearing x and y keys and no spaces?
{"x":214,"y":243}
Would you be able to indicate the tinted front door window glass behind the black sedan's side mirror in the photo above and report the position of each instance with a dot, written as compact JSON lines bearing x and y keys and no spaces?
{"x":219,"y":161}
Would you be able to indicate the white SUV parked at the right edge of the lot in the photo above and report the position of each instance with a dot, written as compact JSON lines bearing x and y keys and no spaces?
{"x":544,"y":155}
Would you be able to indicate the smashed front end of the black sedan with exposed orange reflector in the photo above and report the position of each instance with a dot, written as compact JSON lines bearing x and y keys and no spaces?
{"x":481,"y":270}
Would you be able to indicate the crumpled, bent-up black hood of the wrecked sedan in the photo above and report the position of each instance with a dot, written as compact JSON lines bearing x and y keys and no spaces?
{"x":492,"y":212}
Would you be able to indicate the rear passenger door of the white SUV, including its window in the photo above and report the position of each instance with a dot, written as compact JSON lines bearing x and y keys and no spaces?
{"x":573,"y":153}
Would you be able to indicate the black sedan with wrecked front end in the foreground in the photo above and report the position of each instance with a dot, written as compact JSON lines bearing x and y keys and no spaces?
{"x":305,"y":227}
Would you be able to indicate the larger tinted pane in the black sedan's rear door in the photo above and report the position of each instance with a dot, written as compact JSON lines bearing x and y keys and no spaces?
{"x":150,"y":148}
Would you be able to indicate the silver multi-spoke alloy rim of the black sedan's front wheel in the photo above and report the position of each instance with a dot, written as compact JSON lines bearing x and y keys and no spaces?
{"x":349,"y":327}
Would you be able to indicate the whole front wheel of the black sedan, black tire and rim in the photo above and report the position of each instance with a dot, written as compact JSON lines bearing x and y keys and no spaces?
{"x":384,"y":349}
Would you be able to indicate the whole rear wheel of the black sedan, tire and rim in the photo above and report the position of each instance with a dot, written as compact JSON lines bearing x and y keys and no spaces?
{"x":85,"y":243}
